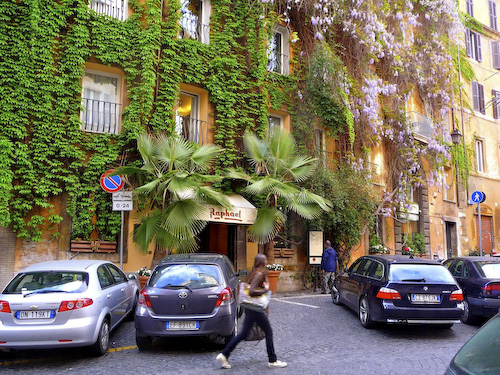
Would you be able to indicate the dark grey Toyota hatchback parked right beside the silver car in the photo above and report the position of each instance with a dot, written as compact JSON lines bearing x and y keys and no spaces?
{"x":188,"y":295}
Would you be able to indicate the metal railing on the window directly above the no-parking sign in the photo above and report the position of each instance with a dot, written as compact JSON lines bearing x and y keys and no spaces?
{"x":99,"y":116}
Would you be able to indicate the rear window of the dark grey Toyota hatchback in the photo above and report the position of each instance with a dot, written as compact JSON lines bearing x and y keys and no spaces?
{"x":190,"y":276}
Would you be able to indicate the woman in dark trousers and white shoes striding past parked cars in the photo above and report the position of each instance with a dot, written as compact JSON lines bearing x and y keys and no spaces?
{"x":259,"y":284}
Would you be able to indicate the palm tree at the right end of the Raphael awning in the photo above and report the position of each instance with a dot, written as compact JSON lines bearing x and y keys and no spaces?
{"x":278,"y":171}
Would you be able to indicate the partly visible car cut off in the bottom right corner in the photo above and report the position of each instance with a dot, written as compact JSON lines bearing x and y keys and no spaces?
{"x":479,"y":355}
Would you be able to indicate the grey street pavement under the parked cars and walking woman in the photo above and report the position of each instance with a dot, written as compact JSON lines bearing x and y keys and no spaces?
{"x":311,"y":334}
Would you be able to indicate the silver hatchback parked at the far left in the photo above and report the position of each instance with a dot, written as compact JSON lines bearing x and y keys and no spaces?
{"x":66,"y":303}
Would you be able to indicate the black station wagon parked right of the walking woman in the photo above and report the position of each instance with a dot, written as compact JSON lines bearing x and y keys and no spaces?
{"x":399,"y":289}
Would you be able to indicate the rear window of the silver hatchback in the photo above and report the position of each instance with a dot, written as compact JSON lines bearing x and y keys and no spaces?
{"x":48,"y":282}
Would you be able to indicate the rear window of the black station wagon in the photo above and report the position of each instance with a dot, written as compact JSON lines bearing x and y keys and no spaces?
{"x":426,"y":273}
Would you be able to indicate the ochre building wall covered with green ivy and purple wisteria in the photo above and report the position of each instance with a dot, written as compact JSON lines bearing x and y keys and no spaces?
{"x":352,"y":80}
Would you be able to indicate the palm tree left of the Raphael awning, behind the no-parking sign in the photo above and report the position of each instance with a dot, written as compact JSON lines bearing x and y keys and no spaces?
{"x":174,"y":188}
